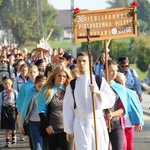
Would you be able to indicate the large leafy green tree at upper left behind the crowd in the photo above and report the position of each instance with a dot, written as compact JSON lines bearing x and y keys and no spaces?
{"x":21,"y":17}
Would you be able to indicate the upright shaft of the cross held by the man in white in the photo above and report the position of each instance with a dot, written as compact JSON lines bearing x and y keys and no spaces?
{"x":91,"y":80}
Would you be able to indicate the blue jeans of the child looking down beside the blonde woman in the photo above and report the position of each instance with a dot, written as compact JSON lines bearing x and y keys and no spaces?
{"x":36,"y":138}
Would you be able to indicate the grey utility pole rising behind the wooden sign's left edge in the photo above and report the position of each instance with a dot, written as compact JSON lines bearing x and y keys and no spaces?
{"x":74,"y":49}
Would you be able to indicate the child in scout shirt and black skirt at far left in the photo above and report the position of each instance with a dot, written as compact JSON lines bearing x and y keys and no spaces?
{"x":8,"y":111}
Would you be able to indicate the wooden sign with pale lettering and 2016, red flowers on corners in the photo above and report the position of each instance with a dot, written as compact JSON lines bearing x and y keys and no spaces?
{"x":105,"y":24}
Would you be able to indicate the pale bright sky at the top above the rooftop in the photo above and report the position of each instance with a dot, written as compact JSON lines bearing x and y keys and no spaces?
{"x":82,"y":4}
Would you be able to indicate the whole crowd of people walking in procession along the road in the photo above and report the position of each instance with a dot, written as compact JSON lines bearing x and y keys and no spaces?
{"x":37,"y":91}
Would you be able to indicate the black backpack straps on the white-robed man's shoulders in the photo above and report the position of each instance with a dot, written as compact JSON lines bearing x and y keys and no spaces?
{"x":73,"y":82}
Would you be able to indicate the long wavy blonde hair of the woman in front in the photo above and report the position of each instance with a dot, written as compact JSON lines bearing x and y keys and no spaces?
{"x":51,"y":78}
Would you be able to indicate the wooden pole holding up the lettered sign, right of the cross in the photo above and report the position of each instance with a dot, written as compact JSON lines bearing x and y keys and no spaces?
{"x":107,"y":77}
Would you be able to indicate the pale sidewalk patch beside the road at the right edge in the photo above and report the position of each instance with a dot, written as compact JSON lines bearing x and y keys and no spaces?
{"x":146,"y":104}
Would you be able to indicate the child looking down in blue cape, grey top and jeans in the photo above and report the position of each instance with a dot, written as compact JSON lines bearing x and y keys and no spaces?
{"x":29,"y":114}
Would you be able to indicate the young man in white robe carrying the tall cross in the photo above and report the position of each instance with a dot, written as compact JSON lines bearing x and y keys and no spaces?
{"x":78,"y":121}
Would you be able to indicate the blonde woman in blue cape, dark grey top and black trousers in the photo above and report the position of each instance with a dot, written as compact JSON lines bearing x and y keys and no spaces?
{"x":50,"y":108}
